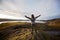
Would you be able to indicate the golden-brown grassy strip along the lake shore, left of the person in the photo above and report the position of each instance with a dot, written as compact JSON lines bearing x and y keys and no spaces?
{"x":11,"y":24}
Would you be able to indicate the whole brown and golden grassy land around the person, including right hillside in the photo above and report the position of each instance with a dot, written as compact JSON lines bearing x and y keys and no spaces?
{"x":19,"y":32}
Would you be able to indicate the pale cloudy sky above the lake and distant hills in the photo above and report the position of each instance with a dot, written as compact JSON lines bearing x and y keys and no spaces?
{"x":17,"y":9}
